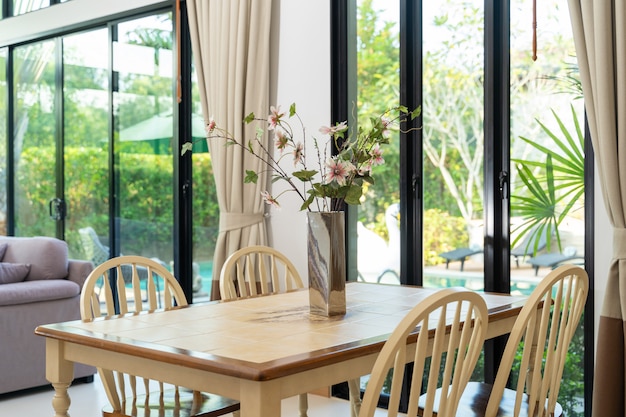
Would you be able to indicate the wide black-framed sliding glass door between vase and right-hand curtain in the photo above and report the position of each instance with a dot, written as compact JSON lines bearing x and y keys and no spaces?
{"x":489,"y":193}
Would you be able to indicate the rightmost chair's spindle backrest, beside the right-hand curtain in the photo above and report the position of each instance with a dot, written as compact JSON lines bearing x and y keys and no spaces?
{"x":546,"y":334}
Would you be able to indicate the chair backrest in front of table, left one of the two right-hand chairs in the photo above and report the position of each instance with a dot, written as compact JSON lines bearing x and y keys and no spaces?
{"x":457,"y":324}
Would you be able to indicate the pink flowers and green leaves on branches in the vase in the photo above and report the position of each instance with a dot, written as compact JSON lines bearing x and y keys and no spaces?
{"x":338,"y":178}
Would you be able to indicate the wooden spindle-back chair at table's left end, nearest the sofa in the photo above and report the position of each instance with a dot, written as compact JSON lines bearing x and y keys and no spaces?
{"x":116,"y":297}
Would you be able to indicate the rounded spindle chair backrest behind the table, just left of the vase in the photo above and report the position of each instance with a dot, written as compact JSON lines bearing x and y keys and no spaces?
{"x":257,"y":270}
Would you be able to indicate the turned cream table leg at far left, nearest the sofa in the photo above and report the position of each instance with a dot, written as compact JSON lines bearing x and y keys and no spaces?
{"x":60,"y":373}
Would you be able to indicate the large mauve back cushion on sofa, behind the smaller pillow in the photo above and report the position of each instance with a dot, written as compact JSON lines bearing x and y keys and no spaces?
{"x":47,"y":256}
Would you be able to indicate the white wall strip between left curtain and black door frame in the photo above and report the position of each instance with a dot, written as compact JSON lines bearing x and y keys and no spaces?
{"x":301,"y":75}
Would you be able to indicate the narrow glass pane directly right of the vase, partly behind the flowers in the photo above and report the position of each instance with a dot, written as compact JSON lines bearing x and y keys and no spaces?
{"x":378,"y":251}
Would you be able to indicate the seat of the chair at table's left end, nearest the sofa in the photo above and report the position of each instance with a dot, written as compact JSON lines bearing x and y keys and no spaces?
{"x":203,"y":405}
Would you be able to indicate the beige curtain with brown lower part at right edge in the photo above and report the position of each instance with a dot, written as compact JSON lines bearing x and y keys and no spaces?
{"x":600,"y":35}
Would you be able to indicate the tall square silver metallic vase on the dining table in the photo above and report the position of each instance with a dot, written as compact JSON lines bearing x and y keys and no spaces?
{"x":327,"y":263}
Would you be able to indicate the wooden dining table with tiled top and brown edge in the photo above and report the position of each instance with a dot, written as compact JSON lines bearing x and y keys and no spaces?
{"x":256,"y":350}
